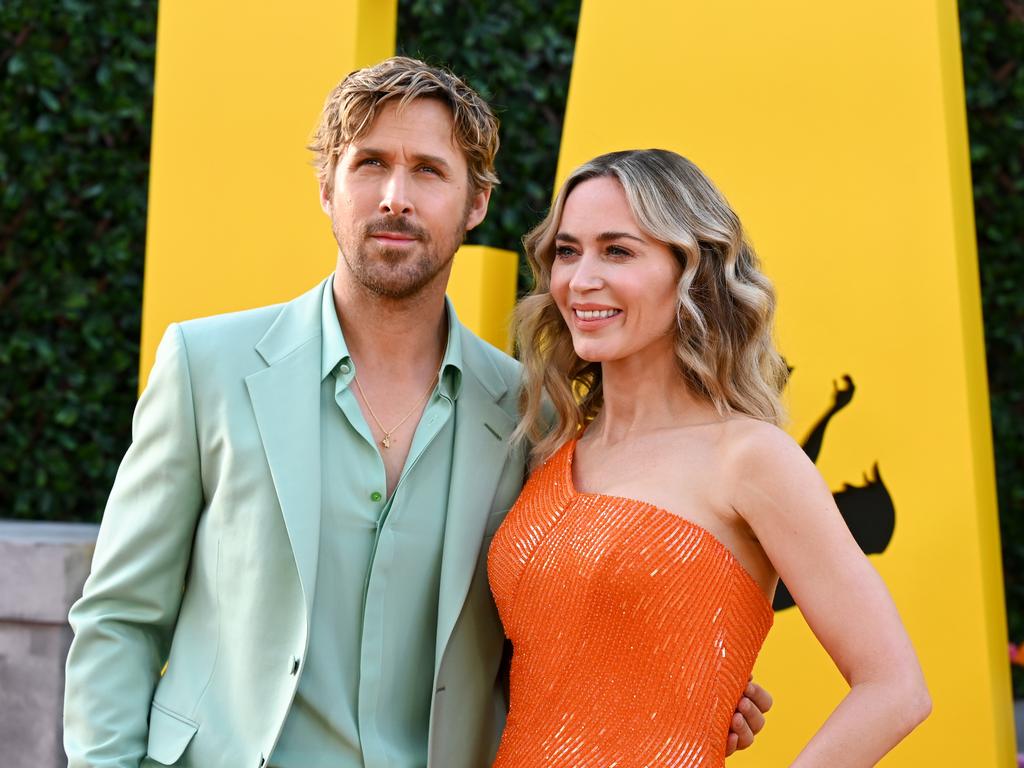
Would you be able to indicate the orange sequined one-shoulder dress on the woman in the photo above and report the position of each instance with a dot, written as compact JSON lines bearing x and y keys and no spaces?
{"x":633,"y":630}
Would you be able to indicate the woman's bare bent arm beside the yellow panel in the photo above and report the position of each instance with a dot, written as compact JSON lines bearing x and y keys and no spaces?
{"x":781,"y":495}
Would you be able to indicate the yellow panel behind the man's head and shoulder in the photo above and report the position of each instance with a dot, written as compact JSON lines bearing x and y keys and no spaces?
{"x":234,"y":218}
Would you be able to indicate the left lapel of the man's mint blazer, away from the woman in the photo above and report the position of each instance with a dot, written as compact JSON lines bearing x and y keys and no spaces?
{"x":286,"y":401}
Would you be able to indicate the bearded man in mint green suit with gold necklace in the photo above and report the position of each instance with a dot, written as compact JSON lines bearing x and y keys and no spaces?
{"x":301,"y":527}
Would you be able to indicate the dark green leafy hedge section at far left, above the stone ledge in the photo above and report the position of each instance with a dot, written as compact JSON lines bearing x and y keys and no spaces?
{"x":75,"y":111}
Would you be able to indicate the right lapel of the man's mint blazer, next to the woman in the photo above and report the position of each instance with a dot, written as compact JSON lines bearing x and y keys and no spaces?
{"x":482,"y":447}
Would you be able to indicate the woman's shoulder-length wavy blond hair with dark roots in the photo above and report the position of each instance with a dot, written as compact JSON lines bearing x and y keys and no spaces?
{"x":726,"y":306}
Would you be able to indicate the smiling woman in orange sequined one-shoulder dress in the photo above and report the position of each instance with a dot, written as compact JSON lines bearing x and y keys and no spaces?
{"x":635,"y":574}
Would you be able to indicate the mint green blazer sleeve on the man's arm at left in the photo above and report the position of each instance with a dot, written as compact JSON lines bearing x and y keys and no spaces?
{"x":125,"y":619}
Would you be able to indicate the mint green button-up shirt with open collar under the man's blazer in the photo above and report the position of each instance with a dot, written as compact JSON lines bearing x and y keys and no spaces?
{"x":364,"y":699}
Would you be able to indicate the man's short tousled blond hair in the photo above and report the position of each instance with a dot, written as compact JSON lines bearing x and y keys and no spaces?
{"x":353,"y":106}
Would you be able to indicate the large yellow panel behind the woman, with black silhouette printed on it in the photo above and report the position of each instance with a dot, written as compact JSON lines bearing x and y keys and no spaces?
{"x":838,"y":133}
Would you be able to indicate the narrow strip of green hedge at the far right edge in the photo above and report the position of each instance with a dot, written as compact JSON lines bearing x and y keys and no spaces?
{"x":993,"y":33}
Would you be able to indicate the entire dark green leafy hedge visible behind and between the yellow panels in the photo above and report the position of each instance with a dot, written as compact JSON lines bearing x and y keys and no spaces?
{"x":75,"y":112}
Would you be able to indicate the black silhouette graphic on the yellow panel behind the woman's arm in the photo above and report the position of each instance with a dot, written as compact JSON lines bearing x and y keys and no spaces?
{"x":868,"y":509}
